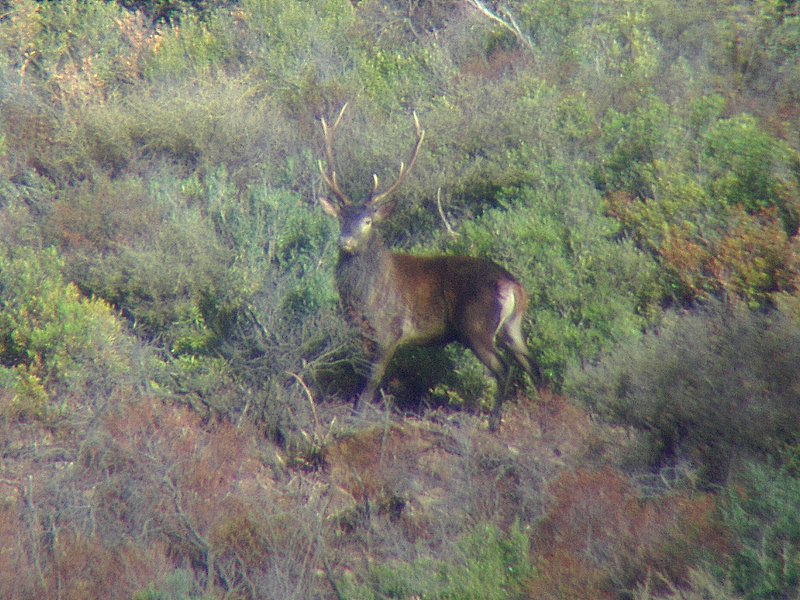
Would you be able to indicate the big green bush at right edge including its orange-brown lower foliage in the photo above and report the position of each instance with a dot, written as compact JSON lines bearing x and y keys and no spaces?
{"x":723,"y":225}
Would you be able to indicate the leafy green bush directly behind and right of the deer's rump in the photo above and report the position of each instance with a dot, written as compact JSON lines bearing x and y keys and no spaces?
{"x":587,"y":290}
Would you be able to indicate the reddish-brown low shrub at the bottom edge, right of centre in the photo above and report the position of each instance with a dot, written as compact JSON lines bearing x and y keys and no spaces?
{"x":602,"y":538}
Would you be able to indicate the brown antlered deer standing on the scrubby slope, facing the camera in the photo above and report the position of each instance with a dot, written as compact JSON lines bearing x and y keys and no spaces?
{"x":398,"y":299}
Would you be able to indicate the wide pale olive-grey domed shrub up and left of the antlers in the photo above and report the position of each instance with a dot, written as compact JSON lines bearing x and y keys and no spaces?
{"x":193,"y":125}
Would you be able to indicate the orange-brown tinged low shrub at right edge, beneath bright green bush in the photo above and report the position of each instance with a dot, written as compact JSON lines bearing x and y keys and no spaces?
{"x":706,"y":247}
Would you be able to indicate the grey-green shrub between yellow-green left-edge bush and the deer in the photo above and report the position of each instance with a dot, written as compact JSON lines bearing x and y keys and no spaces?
{"x":170,"y":278}
